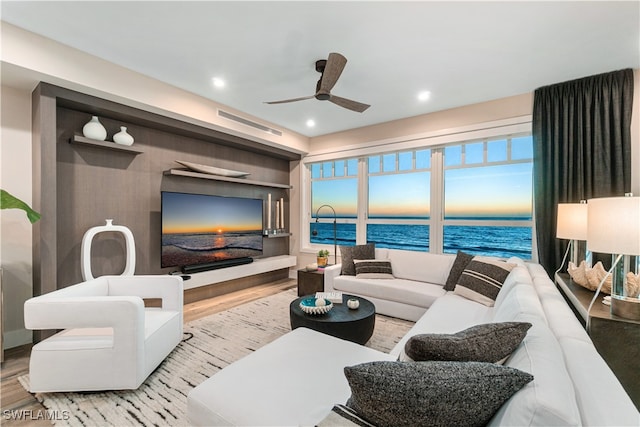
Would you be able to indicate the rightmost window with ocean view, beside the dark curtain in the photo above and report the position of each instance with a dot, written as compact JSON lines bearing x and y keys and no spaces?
{"x":488,"y":198}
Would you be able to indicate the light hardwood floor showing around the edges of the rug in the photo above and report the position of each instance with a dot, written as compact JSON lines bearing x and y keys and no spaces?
{"x":17,"y":402}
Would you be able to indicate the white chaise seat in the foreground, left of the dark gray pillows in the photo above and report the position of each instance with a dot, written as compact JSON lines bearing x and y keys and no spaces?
{"x":294,"y":380}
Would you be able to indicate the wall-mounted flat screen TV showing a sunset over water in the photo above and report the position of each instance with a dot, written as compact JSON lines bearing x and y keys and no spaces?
{"x":200,"y":229}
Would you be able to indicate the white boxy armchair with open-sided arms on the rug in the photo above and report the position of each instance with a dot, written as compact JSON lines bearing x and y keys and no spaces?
{"x":109,"y":341}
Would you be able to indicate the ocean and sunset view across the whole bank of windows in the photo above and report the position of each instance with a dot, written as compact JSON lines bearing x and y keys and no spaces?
{"x":482,"y":194}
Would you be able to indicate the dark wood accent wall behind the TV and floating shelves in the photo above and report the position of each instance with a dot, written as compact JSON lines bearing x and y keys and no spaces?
{"x":77,"y":187}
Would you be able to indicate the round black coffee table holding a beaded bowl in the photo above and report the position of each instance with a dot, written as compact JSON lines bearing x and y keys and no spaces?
{"x":341,"y":322}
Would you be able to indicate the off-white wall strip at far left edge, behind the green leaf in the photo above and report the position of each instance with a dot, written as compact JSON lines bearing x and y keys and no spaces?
{"x":15,"y":229}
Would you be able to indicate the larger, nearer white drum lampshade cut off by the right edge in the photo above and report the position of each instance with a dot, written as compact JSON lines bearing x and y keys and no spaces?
{"x":613,"y":225}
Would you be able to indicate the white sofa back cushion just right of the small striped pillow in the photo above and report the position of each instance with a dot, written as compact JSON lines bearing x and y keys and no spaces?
{"x":421,"y":266}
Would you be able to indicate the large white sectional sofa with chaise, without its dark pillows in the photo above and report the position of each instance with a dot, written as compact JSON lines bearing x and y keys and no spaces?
{"x":297,"y":379}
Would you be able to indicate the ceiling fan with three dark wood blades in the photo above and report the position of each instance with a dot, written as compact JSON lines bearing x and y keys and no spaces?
{"x":330,"y":69}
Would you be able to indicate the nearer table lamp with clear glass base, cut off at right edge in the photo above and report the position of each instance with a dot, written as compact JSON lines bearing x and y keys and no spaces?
{"x":613,"y":227}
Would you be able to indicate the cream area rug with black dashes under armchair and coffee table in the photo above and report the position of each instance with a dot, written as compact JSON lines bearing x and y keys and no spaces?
{"x":210,"y":344}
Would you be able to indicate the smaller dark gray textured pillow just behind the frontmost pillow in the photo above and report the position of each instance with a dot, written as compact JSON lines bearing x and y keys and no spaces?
{"x":490,"y":342}
